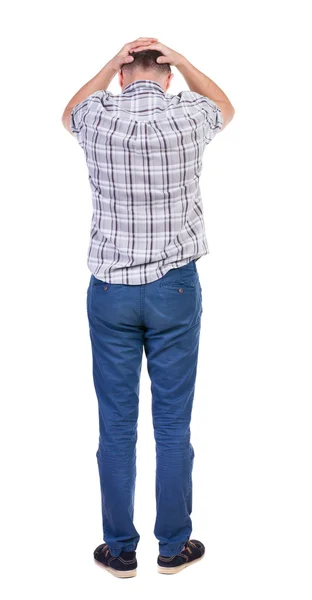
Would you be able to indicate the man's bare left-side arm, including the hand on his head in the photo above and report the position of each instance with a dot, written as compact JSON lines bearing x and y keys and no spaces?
{"x":102,"y":80}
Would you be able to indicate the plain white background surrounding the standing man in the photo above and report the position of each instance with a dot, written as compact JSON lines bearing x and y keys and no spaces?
{"x":251,"y":427}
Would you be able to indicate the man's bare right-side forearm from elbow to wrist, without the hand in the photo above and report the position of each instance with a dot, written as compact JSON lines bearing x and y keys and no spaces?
{"x":203,"y":85}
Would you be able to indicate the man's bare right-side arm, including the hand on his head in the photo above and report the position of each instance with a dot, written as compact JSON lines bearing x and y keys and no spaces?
{"x":195,"y":79}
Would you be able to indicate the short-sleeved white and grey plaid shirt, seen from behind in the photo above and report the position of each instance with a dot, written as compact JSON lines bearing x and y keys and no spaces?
{"x":144,"y":150}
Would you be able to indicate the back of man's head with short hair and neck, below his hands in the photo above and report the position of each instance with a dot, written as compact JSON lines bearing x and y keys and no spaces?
{"x":144,"y":66}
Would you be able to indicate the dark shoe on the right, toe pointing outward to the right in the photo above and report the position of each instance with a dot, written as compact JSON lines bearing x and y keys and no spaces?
{"x":192,"y":552}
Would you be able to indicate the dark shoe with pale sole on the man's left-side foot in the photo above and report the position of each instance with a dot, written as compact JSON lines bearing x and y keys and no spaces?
{"x":124,"y":565}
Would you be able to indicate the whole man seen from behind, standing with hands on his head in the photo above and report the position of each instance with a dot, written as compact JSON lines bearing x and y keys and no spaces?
{"x":144,"y":152}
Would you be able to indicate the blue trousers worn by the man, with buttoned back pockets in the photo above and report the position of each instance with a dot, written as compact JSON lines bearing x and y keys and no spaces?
{"x":164,"y":318}
